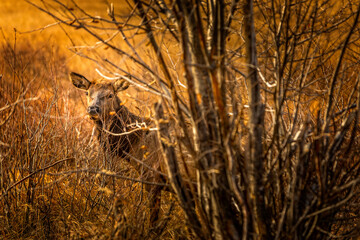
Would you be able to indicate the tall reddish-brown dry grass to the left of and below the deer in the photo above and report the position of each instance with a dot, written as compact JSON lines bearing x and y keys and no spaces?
{"x":55,"y":182}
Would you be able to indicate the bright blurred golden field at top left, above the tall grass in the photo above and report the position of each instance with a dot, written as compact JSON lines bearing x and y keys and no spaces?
{"x":33,"y":27}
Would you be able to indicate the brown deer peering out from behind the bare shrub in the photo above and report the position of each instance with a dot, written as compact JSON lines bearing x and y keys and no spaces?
{"x":119,"y":137}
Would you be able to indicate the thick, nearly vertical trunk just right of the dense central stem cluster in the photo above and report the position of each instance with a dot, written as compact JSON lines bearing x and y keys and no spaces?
{"x":254,"y":163}
